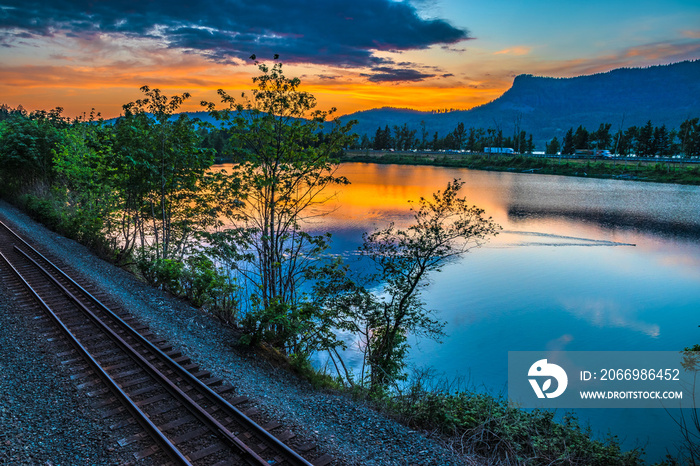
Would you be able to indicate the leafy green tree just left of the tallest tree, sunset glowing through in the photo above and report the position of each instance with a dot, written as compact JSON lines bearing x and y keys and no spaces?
{"x":160,"y":167}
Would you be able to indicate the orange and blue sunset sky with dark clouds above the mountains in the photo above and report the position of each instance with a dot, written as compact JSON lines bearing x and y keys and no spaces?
{"x":353,"y":55}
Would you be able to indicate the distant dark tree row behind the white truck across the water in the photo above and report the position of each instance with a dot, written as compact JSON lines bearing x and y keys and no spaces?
{"x":461,"y":138}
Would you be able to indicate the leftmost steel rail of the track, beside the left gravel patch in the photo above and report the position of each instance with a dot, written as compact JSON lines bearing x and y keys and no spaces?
{"x":141,"y":417}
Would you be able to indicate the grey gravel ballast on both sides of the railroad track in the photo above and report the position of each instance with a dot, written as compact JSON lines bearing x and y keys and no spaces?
{"x":351,"y":432}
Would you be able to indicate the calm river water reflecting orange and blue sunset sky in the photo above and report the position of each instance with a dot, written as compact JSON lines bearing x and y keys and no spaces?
{"x":581,"y":264}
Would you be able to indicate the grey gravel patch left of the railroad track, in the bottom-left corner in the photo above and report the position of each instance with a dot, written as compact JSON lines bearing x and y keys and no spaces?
{"x":44,"y":419}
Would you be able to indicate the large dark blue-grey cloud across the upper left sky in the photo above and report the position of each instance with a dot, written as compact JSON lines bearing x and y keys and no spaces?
{"x":305,"y":31}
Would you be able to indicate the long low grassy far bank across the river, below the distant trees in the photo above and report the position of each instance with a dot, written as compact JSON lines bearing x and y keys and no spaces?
{"x":659,"y":172}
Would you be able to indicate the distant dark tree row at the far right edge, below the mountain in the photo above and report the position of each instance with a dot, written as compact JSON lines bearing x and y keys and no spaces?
{"x":643,"y":141}
